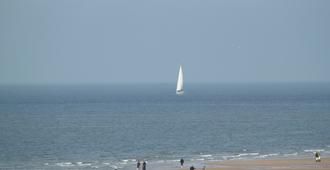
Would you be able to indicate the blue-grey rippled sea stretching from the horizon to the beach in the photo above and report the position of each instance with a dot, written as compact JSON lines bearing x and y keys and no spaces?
{"x":114,"y":126}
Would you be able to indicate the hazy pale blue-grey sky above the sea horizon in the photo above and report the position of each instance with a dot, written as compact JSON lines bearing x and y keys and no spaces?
{"x":129,"y":41}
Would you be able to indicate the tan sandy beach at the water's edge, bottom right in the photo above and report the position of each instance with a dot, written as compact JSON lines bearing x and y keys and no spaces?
{"x":282,"y":164}
